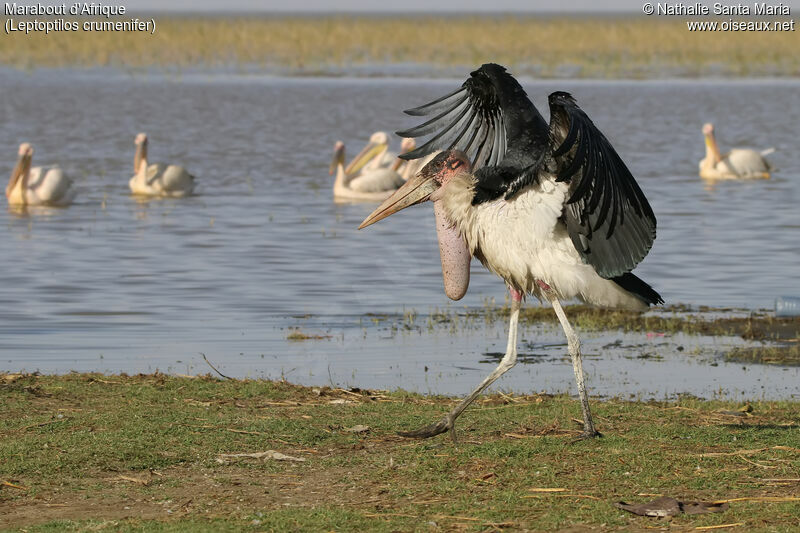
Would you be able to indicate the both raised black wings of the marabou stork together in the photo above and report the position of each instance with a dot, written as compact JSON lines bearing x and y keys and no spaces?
{"x":491,"y":119}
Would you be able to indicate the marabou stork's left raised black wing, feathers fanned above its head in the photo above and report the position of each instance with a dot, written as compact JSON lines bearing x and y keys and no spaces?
{"x":490,"y":118}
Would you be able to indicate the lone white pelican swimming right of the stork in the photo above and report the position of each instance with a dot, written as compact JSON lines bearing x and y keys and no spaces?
{"x":739,"y":163}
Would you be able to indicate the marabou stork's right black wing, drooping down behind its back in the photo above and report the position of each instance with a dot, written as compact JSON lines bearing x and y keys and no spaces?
{"x":608,"y":217}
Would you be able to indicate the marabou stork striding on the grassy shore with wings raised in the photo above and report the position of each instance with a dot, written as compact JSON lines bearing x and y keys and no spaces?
{"x":553,"y":210}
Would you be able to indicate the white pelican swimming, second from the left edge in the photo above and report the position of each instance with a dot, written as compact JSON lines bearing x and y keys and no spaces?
{"x":158,"y":179}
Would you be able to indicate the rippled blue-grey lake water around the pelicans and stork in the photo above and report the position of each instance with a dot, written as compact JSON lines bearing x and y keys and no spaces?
{"x":115,"y":284}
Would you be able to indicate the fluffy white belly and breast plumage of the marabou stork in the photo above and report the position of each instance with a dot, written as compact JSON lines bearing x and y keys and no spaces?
{"x":522,"y":240}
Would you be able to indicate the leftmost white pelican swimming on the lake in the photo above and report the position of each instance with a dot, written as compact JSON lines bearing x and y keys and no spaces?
{"x":38,"y":185}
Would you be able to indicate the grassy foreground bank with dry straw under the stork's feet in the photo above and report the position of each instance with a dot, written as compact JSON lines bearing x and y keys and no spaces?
{"x":155,"y":452}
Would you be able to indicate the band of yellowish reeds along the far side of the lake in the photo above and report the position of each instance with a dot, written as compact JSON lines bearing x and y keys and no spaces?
{"x":597,"y":47}
